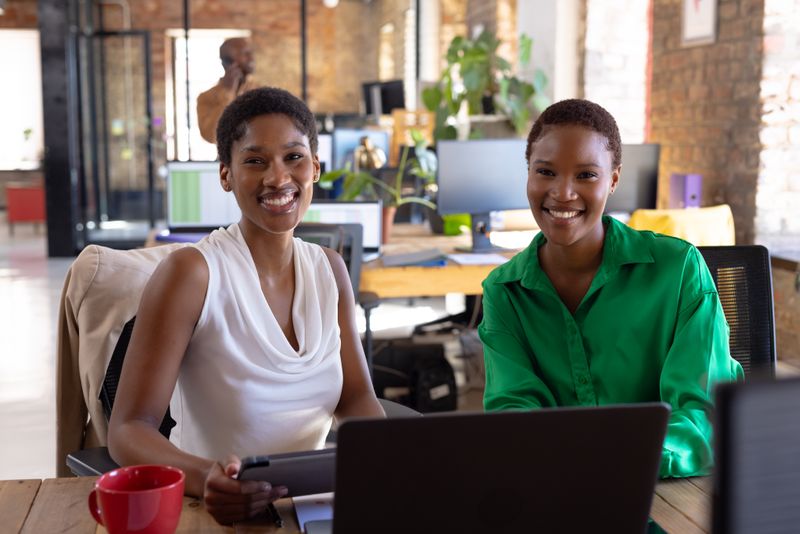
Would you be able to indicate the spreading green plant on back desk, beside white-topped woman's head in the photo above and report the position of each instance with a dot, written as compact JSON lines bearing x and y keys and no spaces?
{"x":365,"y":185}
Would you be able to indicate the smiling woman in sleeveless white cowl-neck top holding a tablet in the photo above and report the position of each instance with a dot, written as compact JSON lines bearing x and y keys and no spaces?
{"x":250,"y":335}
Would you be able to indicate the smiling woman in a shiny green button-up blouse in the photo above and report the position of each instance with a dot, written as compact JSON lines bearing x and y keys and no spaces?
{"x":593,"y":312}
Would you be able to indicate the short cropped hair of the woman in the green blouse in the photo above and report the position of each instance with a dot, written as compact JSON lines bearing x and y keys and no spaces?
{"x":582,"y":113}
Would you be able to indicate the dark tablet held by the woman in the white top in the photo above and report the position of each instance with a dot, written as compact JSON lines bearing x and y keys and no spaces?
{"x":303,"y":473}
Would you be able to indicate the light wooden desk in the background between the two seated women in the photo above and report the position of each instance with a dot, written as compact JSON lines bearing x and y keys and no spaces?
{"x":403,"y":282}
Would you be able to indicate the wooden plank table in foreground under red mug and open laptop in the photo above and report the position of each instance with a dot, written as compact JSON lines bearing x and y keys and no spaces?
{"x":60,"y":505}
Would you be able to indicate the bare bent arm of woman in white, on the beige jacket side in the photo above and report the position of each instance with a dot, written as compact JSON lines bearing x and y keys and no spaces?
{"x":169,"y":309}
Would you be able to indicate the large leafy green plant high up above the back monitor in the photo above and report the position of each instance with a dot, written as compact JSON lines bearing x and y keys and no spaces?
{"x":477,"y":76}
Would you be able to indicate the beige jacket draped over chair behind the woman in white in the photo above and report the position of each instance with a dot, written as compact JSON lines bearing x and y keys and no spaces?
{"x":101,"y":293}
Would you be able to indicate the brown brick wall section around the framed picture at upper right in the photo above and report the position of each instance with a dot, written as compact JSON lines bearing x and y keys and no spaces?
{"x":705,"y":106}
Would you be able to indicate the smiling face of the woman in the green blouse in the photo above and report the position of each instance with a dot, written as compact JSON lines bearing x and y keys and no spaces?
{"x":570,"y":175}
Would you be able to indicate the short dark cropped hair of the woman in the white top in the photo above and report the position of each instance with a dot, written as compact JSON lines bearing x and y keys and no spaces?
{"x":232,"y":124}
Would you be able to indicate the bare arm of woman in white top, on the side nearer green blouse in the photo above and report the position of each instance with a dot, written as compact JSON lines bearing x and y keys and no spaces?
{"x":358,"y":396}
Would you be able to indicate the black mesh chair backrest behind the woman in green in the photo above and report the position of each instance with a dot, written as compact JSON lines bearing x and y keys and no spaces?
{"x":743,"y":277}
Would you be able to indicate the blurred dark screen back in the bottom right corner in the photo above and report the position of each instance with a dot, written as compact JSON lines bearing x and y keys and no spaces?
{"x":757,"y":474}
